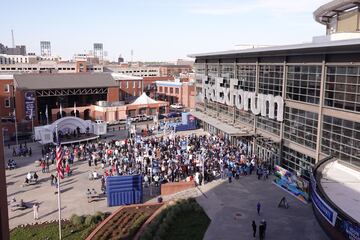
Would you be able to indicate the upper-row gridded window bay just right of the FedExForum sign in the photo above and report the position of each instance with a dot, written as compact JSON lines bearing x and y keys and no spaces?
{"x":304,"y":83}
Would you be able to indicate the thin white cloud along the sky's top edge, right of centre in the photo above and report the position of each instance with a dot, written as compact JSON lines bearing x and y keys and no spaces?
{"x":227,"y":7}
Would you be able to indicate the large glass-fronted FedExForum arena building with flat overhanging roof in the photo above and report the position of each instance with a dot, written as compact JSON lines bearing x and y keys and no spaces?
{"x":294,"y":106}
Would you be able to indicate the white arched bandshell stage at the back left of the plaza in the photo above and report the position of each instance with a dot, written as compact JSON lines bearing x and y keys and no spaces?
{"x":69,"y":125}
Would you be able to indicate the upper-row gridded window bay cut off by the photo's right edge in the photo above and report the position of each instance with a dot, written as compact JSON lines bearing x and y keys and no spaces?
{"x":342,"y":88}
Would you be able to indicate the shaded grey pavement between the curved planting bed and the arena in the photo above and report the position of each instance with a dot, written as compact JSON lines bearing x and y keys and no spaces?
{"x":232,"y":207}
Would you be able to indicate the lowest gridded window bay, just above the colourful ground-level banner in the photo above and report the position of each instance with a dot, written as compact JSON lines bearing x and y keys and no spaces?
{"x":297,"y":161}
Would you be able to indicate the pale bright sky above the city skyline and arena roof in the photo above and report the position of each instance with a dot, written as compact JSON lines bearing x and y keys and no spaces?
{"x":156,"y":29}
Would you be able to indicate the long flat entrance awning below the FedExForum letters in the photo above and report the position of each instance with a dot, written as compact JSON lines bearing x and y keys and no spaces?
{"x":226,"y":128}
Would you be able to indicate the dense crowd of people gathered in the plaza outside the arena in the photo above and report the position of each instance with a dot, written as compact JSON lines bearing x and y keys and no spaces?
{"x":161,"y":159}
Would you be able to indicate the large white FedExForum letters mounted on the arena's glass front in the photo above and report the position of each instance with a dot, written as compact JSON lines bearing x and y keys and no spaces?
{"x":241,"y":98}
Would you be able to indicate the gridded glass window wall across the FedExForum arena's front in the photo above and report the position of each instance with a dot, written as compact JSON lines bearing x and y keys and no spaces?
{"x":339,"y":137}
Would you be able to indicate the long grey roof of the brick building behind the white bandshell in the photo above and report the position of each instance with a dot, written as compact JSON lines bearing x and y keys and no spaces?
{"x":44,"y":81}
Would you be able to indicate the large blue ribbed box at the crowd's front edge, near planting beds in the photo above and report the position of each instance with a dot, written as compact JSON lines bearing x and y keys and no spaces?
{"x":124,"y":190}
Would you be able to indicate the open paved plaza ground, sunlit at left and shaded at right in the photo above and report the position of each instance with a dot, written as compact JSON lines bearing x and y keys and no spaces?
{"x":231,"y":207}
